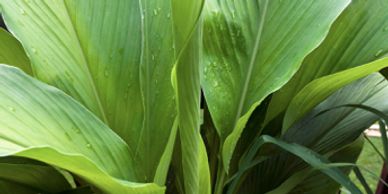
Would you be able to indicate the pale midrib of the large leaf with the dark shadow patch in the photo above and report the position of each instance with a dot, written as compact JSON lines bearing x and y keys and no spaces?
{"x":251,"y":64}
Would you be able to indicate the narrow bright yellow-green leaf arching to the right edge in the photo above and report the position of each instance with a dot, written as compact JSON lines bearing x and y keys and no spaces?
{"x":319,"y":89}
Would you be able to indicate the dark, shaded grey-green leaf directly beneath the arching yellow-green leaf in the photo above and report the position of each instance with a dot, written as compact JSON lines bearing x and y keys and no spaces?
{"x":332,"y":125}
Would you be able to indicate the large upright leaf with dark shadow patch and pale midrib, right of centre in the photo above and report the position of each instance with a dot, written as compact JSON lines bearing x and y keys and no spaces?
{"x":251,"y":49}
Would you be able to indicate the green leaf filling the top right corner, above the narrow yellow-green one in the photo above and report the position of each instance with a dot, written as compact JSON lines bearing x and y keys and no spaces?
{"x":357,"y":37}
